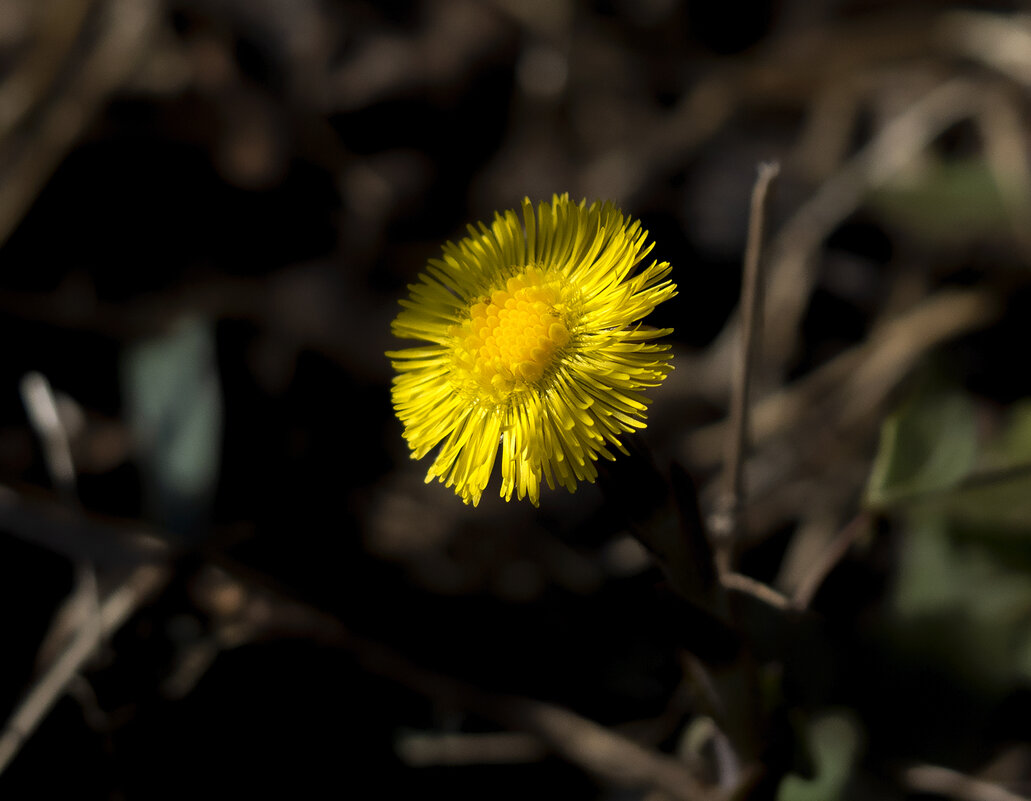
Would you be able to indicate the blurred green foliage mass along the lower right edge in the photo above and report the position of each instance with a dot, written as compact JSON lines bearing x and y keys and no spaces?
{"x":961,"y":489}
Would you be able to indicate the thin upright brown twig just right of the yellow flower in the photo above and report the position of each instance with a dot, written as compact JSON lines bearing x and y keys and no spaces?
{"x":725,"y":522}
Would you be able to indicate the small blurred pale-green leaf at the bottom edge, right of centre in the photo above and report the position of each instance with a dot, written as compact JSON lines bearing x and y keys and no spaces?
{"x":834,"y":742}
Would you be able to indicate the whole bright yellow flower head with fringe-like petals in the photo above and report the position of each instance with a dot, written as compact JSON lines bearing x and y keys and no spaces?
{"x":534,"y":346}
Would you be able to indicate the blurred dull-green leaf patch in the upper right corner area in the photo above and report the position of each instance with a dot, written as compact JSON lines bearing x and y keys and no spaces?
{"x":946,"y":202}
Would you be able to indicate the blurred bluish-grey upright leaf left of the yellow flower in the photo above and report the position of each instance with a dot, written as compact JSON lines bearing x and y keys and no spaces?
{"x":174,"y":402}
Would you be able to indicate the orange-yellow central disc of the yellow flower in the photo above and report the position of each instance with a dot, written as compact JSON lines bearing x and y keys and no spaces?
{"x":513,"y":336}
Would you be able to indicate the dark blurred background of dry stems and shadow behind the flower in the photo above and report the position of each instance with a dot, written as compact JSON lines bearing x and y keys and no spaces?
{"x":209,"y":211}
